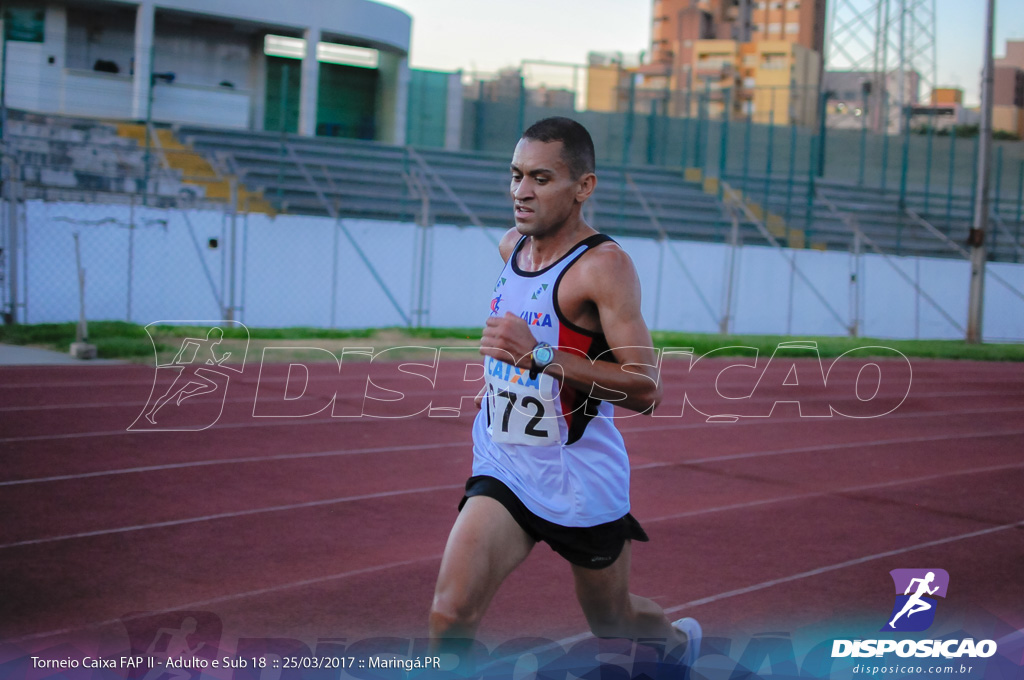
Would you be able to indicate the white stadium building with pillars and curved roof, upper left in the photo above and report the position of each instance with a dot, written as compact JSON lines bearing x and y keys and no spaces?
{"x":209,"y":63}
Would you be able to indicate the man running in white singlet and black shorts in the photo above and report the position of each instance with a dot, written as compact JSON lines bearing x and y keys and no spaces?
{"x":548,"y":462}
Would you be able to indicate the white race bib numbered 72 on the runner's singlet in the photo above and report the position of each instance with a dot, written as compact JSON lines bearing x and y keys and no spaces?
{"x":521,"y":410}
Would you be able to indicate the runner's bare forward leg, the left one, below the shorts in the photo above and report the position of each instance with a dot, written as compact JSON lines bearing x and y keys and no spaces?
{"x":485,"y":546}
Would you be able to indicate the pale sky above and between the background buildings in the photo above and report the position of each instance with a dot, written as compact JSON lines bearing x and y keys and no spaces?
{"x":486,"y":36}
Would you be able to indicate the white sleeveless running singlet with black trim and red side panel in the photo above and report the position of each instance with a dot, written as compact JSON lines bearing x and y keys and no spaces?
{"x":556,"y":448}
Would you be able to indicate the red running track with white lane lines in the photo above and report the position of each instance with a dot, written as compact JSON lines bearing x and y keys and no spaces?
{"x":320,"y":528}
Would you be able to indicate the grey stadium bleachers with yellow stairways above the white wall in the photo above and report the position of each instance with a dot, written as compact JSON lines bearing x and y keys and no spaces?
{"x":67,"y":159}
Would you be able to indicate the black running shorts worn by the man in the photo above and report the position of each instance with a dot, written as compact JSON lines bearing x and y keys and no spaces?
{"x":591,"y":547}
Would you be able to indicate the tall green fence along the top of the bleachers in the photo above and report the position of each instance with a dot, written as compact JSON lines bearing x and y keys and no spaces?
{"x":937,"y":168}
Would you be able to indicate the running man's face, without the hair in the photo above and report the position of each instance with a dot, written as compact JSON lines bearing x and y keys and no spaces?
{"x":543,"y":189}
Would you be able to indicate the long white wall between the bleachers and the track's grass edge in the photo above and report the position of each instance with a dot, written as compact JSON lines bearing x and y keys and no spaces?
{"x":286,"y":269}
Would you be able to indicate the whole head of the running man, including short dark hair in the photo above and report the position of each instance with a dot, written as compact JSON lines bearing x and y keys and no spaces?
{"x":552,"y":176}
